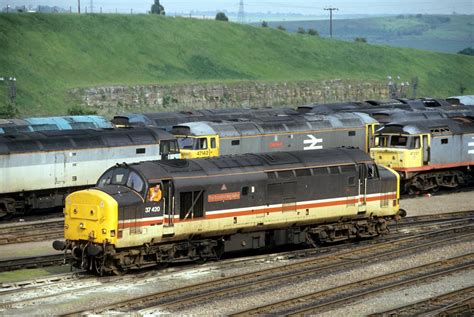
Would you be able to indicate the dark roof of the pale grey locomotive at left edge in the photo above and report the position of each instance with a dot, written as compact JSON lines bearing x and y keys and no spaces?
{"x":55,"y":140}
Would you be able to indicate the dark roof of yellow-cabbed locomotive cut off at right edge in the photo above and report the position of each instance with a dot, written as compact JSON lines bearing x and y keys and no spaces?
{"x":444,"y":126}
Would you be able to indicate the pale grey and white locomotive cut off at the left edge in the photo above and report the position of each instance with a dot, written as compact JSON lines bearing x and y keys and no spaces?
{"x":38,"y":169}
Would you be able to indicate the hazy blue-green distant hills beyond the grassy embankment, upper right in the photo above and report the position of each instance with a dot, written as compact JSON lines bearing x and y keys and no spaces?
{"x":441,"y":33}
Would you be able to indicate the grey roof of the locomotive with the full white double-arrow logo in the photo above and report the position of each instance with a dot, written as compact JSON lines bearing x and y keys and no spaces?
{"x":274,"y":124}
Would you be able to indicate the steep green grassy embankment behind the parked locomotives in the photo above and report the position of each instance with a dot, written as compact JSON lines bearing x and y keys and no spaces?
{"x":52,"y":53}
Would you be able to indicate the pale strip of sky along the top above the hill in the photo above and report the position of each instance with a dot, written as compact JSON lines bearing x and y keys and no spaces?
{"x":276,"y":6}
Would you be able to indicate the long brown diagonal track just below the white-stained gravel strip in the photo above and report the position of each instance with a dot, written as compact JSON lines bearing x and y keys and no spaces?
{"x":181,"y":298}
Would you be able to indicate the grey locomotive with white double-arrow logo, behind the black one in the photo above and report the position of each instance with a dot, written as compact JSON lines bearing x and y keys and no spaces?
{"x":275,"y":134}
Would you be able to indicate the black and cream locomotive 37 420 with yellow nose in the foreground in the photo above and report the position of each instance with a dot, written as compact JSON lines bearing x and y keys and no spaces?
{"x":165,"y":211}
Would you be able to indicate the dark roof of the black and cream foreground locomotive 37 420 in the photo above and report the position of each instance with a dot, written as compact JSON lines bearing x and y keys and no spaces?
{"x":238,"y":164}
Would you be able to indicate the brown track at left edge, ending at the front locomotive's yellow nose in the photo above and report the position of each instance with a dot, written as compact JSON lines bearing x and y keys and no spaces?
{"x":30,"y":232}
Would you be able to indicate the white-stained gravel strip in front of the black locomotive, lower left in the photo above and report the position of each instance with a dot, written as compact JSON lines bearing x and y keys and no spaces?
{"x":102,"y":294}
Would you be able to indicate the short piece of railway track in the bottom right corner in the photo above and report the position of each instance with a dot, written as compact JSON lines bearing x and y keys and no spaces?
{"x":457,"y":303}
